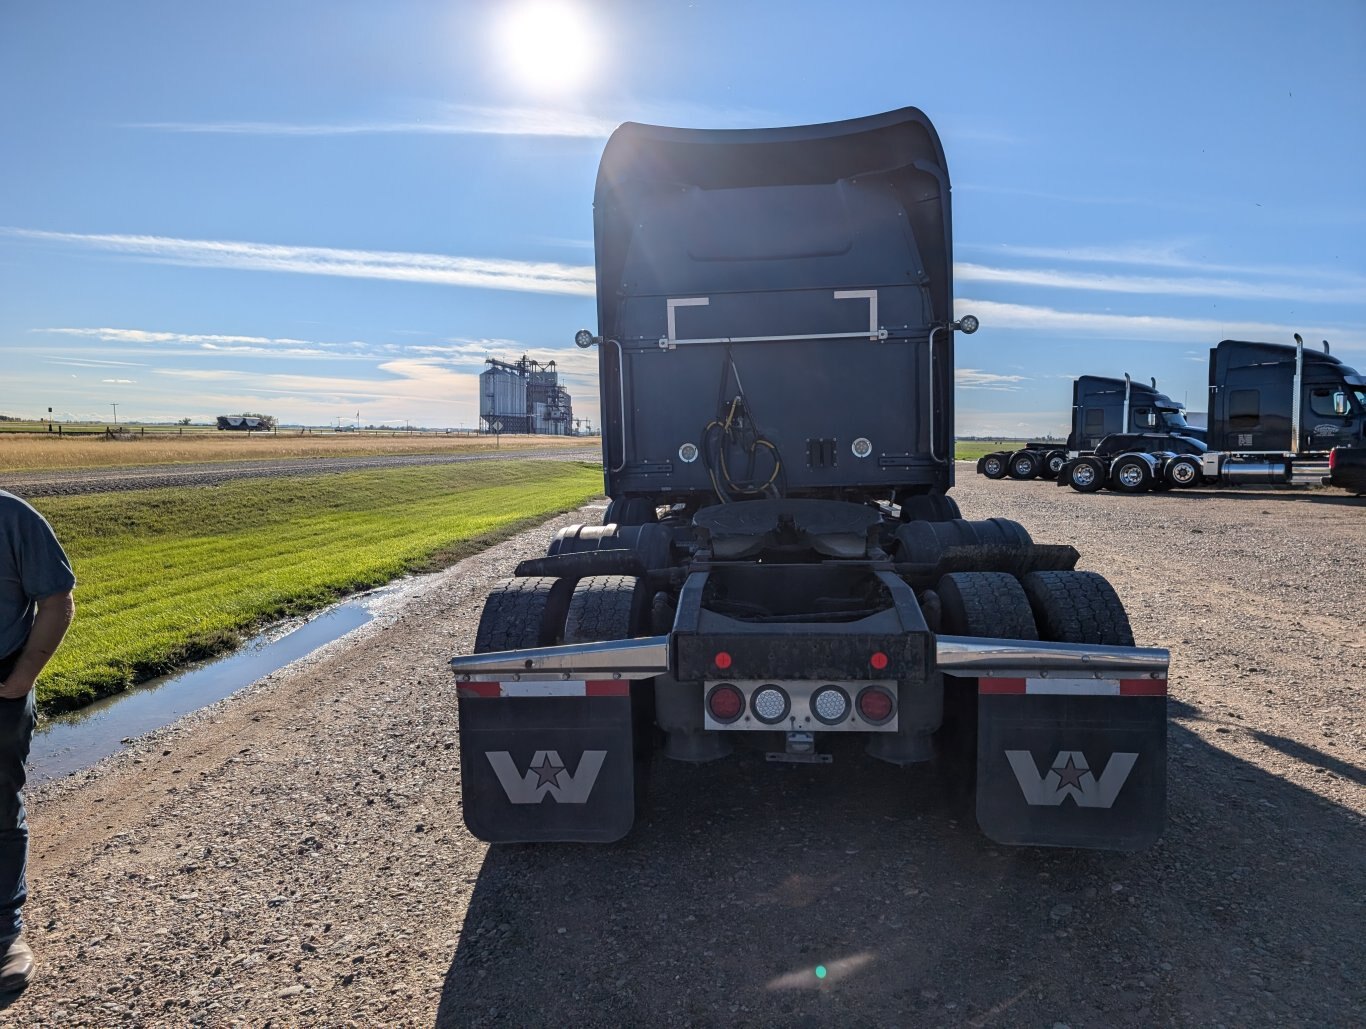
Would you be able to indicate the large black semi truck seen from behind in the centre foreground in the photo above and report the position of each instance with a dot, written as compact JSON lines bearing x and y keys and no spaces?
{"x":781,"y":568}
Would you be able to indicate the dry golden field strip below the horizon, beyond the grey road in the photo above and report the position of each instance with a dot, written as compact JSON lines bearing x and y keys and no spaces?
{"x":25,"y":453}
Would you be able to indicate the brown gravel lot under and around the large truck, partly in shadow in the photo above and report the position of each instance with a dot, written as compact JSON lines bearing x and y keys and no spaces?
{"x":297,"y":856}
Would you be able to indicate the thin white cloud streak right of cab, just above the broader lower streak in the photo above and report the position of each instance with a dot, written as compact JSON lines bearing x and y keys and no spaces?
{"x":1154,"y":285}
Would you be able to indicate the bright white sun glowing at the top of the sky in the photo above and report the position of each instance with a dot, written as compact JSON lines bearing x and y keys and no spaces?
{"x":550,"y":46}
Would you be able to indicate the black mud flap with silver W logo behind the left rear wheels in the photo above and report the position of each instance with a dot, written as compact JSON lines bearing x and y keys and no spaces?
{"x":540,"y":770}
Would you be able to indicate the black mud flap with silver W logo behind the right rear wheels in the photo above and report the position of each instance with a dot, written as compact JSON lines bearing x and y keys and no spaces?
{"x":1072,"y":771}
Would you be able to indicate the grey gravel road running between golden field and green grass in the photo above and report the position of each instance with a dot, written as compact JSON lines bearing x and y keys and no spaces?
{"x":214,"y":474}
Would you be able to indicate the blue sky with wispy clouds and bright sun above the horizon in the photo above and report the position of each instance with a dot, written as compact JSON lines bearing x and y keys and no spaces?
{"x":315,"y":208}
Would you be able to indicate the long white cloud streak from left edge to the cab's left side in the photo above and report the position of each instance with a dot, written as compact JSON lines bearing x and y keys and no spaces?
{"x":494,"y":274}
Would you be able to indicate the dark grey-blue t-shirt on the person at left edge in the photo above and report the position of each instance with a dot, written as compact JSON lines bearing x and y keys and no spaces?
{"x":32,"y":566}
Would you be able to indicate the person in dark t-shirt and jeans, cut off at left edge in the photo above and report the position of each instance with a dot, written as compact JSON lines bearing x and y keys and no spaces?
{"x":36,"y":609}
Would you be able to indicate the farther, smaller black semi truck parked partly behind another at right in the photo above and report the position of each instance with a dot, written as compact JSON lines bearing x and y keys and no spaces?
{"x":1100,"y":408}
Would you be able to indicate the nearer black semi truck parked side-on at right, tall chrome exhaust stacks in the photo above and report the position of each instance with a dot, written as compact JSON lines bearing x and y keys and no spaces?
{"x":1275,"y":415}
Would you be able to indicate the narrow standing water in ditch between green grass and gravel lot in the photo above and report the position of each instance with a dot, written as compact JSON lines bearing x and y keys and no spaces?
{"x":69,"y":743}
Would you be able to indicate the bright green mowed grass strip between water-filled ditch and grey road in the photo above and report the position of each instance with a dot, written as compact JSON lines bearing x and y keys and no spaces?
{"x":171,"y":576}
